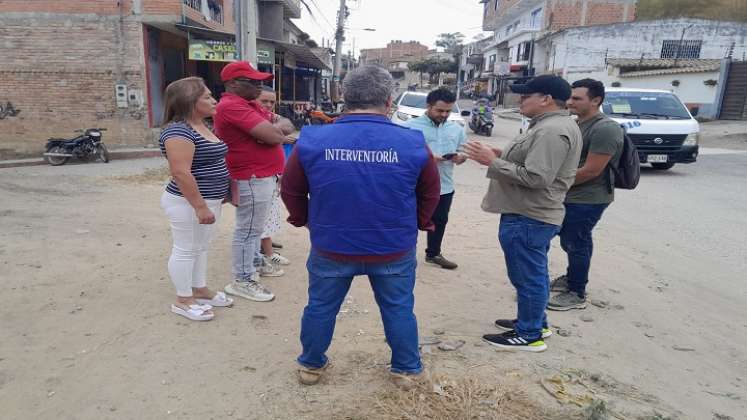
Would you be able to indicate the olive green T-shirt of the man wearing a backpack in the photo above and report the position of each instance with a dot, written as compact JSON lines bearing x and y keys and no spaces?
{"x":604,"y":136}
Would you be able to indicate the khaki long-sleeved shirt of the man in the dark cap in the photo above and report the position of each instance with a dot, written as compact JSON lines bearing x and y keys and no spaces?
{"x":536,"y":170}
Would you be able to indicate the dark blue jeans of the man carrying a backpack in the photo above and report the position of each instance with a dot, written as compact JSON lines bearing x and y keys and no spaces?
{"x":576,"y":241}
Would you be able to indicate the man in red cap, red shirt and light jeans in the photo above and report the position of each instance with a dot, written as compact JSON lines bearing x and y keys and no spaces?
{"x":255,"y":159}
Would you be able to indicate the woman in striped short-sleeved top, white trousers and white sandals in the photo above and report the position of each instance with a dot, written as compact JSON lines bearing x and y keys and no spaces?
{"x":192,"y":200}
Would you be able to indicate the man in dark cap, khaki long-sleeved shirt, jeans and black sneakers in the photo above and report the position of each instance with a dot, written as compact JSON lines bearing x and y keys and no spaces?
{"x":528,"y":183}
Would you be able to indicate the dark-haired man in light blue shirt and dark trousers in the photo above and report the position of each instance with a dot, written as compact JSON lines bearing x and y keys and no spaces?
{"x":444,"y":138}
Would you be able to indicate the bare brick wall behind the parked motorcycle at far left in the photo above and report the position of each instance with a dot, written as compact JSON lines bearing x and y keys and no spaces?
{"x":60,"y":70}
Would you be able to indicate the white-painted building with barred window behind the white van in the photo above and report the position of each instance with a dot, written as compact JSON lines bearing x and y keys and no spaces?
{"x":680,"y":55}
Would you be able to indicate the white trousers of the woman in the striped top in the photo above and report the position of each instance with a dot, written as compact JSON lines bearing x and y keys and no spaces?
{"x":188,"y":261}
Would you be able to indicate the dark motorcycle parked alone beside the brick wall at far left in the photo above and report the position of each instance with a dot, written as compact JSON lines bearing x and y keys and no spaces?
{"x":88,"y":145}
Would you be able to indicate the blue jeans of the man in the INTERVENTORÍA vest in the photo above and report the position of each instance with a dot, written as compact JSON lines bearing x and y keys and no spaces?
{"x":392,"y":284}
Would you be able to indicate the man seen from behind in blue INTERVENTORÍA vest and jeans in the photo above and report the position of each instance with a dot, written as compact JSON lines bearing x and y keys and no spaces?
{"x":363,"y":186}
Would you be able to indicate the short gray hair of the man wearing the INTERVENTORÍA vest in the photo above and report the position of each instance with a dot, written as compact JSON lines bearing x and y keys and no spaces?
{"x":368,"y":86}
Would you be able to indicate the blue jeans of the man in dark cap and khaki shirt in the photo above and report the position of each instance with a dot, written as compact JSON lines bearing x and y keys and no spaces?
{"x":525,"y":243}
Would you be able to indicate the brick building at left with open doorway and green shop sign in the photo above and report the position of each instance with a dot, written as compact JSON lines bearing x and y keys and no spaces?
{"x":102,"y":63}
